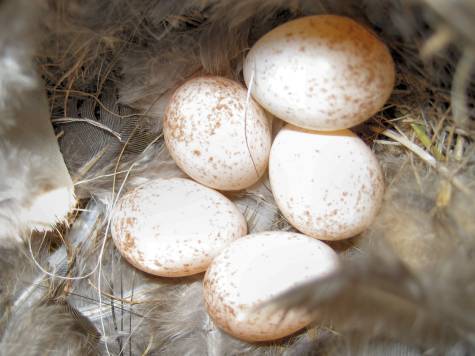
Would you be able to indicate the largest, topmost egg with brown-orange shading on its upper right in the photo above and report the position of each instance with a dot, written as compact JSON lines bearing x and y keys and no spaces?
{"x":322,"y":72}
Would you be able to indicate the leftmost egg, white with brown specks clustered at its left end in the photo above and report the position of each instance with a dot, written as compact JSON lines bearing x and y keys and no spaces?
{"x":174,"y":227}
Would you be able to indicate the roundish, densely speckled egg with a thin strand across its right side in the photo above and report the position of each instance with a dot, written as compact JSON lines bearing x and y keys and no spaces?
{"x":217,"y":134}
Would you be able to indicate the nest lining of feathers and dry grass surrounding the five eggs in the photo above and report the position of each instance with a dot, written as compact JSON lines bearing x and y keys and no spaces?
{"x":109,"y":67}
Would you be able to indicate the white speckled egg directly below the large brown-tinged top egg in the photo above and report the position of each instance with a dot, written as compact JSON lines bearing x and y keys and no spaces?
{"x":328,"y":185}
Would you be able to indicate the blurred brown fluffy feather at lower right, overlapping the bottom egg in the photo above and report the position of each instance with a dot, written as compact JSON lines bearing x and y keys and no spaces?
{"x":411,"y":283}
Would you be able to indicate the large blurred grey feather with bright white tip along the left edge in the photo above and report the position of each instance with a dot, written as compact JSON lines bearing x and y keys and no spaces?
{"x":36,"y":190}
